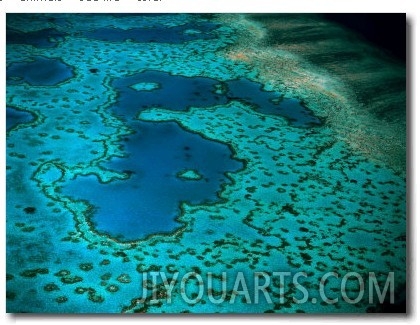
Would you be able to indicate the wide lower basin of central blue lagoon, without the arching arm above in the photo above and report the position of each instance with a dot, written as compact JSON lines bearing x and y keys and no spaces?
{"x":148,"y":202}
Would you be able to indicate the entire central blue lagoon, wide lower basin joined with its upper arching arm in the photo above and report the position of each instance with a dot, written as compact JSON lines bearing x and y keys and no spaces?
{"x":149,"y":201}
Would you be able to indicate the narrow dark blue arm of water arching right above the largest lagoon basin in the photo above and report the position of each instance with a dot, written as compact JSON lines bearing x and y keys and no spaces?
{"x":178,"y":93}
